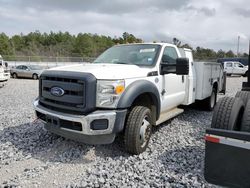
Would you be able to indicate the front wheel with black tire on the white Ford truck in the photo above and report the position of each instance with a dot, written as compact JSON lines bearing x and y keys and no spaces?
{"x":138,"y":130}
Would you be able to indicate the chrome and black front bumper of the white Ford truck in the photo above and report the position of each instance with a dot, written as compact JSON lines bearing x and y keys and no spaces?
{"x":98,"y":127}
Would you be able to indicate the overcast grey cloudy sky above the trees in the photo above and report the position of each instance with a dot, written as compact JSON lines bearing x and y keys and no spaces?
{"x":208,"y":23}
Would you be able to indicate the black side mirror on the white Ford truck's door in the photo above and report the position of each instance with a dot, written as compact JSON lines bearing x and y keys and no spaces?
{"x":180,"y":68}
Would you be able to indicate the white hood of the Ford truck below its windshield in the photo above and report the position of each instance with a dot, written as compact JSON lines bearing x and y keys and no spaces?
{"x":107,"y":71}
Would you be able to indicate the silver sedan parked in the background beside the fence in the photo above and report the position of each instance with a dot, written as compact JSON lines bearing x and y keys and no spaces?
{"x":27,"y":71}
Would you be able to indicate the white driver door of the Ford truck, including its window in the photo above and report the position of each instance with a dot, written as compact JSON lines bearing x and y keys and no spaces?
{"x":173,"y":85}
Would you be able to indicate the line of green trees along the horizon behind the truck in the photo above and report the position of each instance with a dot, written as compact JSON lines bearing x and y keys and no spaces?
{"x":63,"y":44}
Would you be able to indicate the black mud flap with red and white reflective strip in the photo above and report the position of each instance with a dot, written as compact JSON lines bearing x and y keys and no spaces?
{"x":227,"y":158}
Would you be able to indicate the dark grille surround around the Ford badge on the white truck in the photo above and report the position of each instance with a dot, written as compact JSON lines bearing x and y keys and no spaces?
{"x":74,"y":86}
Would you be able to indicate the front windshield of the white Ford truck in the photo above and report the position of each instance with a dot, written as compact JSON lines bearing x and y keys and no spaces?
{"x":136,"y":54}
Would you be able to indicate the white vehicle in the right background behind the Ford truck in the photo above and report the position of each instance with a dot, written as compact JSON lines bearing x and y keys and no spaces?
{"x":235,"y":68}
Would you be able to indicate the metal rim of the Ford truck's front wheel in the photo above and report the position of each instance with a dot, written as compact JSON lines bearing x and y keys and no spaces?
{"x":144,"y":132}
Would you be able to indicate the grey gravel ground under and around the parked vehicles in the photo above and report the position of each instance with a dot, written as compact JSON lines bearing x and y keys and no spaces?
{"x":32,"y":157}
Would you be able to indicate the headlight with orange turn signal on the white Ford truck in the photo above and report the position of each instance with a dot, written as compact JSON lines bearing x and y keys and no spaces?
{"x":109,"y":93}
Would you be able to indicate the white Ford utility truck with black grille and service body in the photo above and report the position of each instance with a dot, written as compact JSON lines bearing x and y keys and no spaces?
{"x":127,"y":89}
